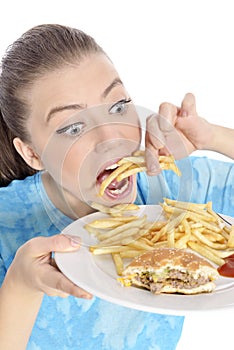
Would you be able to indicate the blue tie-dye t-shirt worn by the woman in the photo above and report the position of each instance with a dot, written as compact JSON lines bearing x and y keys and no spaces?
{"x":72,"y":323}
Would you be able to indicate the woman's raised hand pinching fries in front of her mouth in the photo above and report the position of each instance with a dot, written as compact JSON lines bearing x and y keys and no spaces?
{"x":175,"y":130}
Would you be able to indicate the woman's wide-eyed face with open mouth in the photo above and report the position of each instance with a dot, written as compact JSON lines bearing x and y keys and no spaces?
{"x":82,"y":122}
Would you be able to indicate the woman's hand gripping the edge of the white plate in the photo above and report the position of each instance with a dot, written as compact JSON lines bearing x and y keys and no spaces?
{"x":34,"y":269}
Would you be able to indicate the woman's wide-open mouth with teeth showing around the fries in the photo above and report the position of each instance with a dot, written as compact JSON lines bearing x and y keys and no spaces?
{"x":115,"y":189}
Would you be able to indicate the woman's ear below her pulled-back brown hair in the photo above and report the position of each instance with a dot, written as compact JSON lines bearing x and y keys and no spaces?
{"x":28,"y":154}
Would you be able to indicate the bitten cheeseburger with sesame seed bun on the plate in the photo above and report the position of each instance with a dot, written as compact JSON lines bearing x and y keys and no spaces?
{"x":170,"y":270}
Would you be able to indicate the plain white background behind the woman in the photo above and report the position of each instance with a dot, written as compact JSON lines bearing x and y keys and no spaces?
{"x":162,"y":49}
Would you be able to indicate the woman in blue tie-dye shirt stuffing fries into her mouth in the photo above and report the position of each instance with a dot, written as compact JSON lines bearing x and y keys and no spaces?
{"x":66,"y":118}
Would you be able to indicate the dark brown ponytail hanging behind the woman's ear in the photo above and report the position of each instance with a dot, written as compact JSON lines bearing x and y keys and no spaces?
{"x":12,"y":165}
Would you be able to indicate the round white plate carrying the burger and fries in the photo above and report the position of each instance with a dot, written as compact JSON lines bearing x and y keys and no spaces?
{"x":97,"y":275}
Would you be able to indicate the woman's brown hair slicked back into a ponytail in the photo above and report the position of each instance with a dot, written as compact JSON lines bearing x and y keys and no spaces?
{"x":41,"y":49}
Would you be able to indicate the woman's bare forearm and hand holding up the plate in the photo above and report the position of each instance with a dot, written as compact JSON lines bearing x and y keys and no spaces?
{"x":31,"y":275}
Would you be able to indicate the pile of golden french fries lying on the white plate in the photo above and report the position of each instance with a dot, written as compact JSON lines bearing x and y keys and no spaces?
{"x":186,"y":226}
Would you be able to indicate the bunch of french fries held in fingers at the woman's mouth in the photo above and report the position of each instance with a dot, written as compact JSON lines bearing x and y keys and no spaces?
{"x":134,"y":164}
